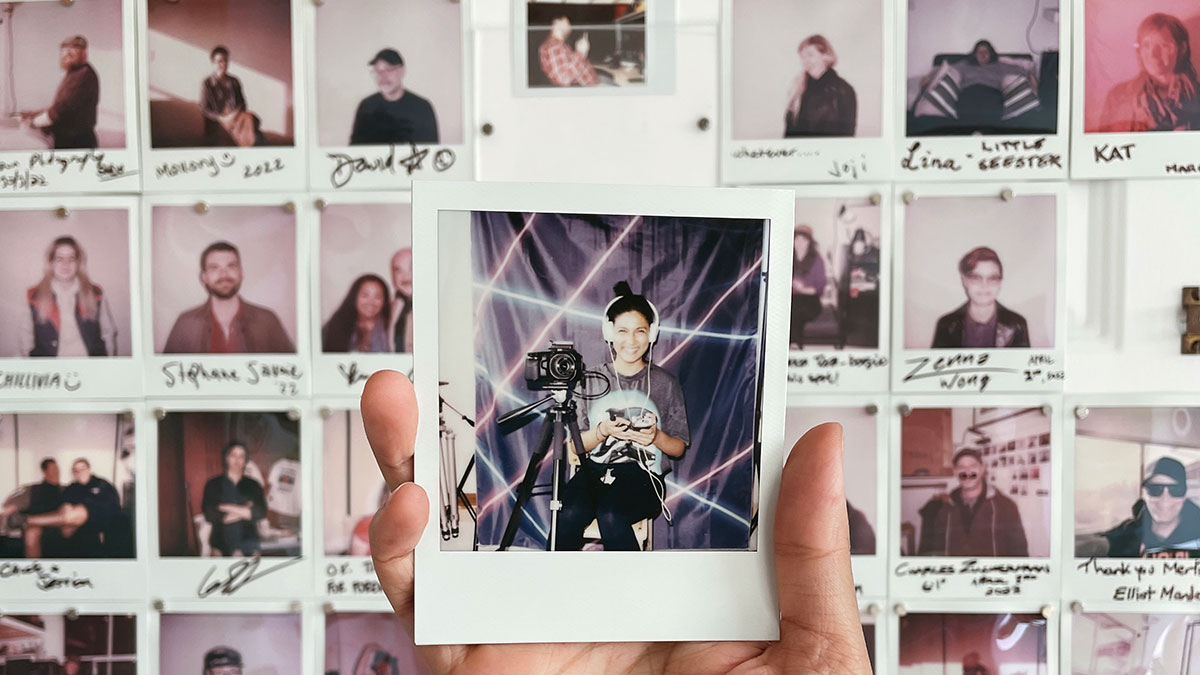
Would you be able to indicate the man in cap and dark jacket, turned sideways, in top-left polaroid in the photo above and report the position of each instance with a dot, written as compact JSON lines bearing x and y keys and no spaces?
{"x":71,"y":118}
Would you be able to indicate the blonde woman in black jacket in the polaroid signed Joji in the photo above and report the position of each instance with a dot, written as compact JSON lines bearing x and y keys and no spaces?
{"x":821,"y":103}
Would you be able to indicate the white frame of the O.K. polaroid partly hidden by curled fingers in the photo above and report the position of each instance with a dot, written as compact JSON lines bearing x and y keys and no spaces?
{"x":340,"y":580}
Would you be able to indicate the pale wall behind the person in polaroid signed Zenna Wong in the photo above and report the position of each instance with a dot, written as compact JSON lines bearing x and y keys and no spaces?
{"x":939,"y":231}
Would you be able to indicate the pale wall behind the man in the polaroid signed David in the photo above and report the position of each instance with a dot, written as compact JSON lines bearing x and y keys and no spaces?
{"x":427,"y":33}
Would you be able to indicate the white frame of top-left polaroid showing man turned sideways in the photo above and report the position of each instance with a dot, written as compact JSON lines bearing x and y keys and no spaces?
{"x":98,"y":170}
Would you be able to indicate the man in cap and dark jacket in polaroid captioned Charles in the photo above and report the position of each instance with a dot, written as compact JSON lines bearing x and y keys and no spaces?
{"x":975,"y":519}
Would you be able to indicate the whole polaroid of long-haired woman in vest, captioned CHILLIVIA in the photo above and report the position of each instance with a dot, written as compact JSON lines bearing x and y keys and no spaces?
{"x":68,"y":300}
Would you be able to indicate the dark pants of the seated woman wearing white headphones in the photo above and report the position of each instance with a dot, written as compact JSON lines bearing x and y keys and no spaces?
{"x":616,"y":507}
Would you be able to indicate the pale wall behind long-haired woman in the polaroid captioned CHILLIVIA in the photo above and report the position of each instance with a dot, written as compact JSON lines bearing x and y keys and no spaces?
{"x":25,"y":240}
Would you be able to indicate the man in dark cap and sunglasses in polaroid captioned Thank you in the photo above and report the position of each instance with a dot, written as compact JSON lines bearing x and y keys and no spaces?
{"x":1166,"y":523}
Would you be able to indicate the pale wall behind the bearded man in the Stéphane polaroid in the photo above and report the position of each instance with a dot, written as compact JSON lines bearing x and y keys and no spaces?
{"x":266,"y":238}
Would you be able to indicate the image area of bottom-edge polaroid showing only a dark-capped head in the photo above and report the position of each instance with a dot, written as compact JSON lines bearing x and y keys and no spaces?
{"x":230,"y":643}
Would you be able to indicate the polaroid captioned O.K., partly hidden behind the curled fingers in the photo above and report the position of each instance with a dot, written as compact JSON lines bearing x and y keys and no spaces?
{"x":352,"y":491}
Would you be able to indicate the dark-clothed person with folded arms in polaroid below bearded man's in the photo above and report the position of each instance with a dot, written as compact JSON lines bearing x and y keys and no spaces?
{"x":235,"y":504}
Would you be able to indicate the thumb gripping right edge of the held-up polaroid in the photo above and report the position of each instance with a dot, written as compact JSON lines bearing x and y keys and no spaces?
{"x":817,"y":590}
